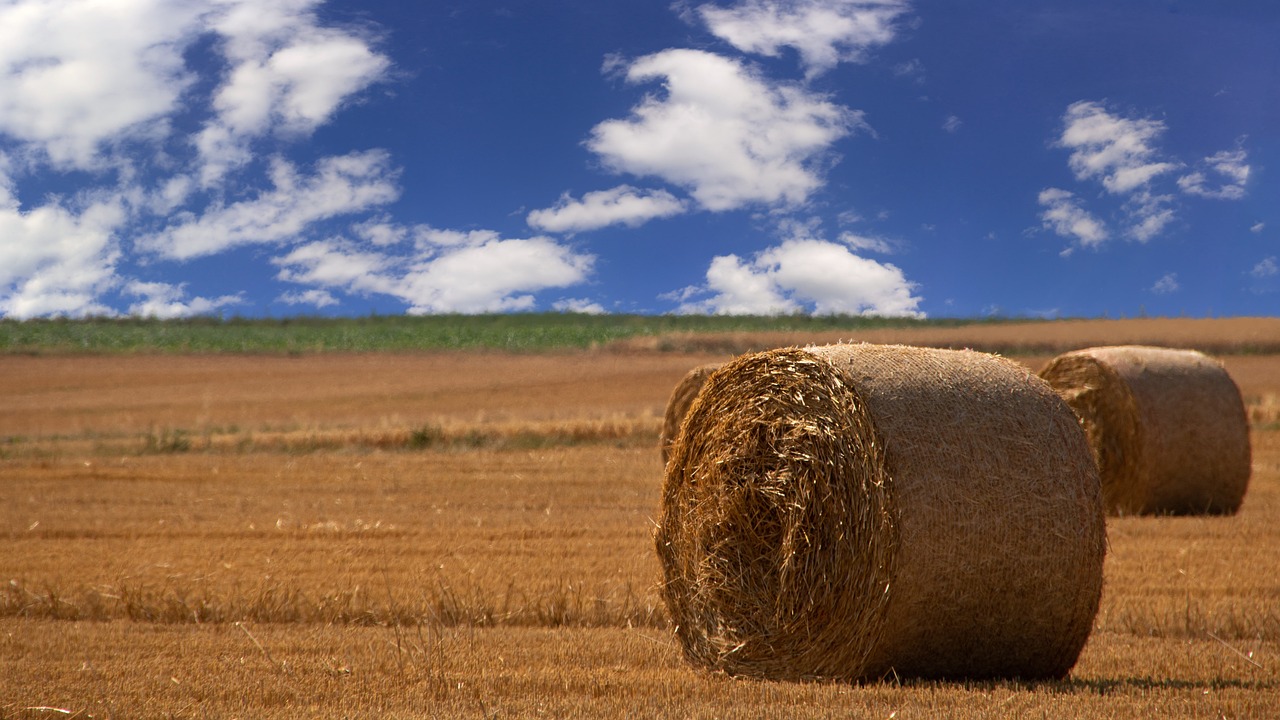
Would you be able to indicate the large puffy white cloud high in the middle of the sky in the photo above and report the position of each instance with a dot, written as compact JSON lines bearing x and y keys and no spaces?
{"x":724,"y":133}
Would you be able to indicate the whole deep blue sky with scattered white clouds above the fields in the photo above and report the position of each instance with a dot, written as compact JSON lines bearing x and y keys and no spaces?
{"x":944,"y":158}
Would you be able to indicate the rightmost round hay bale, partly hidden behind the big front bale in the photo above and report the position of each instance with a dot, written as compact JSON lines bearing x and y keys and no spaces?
{"x":1168,"y":427}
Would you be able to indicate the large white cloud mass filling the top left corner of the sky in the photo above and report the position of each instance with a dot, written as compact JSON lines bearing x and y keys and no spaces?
{"x":79,"y":78}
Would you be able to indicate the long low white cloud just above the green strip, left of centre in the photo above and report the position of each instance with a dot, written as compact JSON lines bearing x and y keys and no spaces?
{"x":449,"y":271}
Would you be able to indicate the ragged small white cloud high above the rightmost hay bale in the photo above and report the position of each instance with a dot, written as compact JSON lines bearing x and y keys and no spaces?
{"x":1112,"y":149}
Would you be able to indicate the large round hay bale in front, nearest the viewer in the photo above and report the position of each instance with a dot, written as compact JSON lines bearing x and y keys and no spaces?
{"x":856,"y":512}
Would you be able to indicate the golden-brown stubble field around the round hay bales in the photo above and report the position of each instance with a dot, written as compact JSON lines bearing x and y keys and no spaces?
{"x":449,"y":535}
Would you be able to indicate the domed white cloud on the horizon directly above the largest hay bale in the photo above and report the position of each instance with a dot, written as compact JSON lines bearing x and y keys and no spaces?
{"x":806,"y":275}
